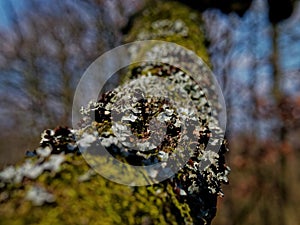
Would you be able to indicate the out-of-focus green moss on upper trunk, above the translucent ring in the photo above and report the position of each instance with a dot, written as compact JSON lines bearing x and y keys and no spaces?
{"x":171,"y":11}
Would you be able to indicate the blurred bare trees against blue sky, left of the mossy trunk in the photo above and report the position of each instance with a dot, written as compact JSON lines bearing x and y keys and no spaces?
{"x":42,"y":57}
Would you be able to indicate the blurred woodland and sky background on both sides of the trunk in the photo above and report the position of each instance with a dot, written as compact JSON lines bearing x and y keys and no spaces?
{"x":45,"y":46}
